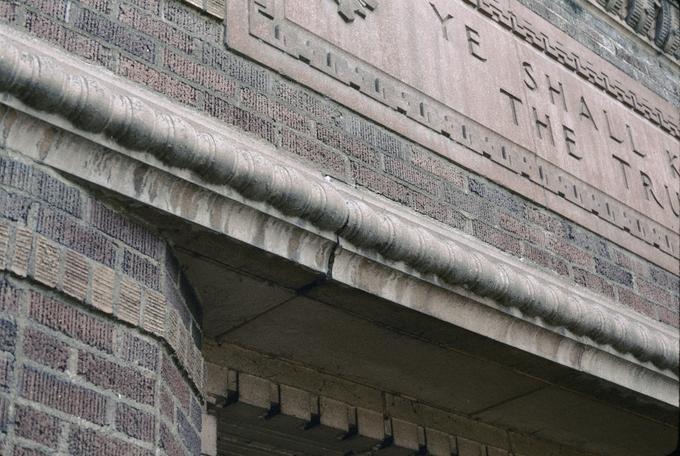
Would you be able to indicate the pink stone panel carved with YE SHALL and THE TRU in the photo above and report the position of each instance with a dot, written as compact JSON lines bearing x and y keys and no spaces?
{"x":494,"y":77}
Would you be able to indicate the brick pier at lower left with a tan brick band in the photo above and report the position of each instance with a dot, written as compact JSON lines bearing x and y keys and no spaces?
{"x":99,"y":345}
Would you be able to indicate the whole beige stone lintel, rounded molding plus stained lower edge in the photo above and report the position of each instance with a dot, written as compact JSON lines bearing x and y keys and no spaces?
{"x":133,"y":126}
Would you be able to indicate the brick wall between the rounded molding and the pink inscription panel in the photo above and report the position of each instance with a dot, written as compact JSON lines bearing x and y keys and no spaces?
{"x":177,"y":51}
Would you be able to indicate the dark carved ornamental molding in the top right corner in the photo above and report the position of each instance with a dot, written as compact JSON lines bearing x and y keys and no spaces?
{"x":656,"y":21}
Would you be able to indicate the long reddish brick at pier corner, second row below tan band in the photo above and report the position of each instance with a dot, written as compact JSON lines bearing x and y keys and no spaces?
{"x":116,"y":377}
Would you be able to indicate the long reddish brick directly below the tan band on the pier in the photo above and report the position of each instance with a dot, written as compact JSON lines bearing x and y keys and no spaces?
{"x":72,"y":322}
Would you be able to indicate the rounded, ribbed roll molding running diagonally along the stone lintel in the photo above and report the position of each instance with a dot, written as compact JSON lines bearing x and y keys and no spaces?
{"x":97,"y":107}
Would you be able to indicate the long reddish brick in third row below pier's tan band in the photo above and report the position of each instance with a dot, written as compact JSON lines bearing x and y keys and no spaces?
{"x":64,"y":396}
